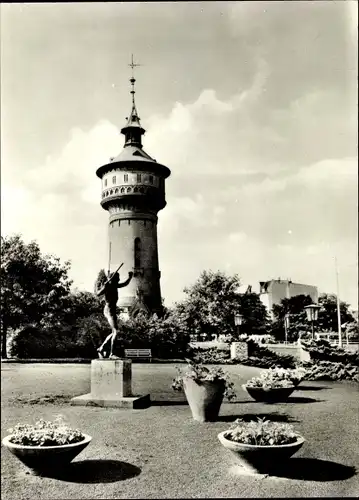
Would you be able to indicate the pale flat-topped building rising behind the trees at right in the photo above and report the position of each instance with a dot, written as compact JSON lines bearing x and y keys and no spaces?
{"x":273,"y":291}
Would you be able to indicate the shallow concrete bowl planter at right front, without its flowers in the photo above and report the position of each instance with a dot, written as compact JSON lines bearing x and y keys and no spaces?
{"x":260,"y":459}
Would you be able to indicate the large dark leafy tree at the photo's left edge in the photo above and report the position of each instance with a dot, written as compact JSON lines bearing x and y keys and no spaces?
{"x":32,"y":286}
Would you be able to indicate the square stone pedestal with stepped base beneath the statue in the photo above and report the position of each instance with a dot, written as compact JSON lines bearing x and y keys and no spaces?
{"x":111,"y":384}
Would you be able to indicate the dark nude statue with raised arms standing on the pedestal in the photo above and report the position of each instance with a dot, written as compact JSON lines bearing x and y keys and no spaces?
{"x":109,"y":290}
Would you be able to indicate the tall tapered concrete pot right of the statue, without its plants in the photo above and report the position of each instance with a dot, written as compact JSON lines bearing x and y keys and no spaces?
{"x":204,"y":398}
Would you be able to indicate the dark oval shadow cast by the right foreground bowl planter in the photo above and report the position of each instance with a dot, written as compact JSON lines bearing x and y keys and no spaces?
{"x":312,"y":469}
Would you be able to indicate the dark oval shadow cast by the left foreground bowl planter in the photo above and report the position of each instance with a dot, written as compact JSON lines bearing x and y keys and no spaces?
{"x":97,"y":471}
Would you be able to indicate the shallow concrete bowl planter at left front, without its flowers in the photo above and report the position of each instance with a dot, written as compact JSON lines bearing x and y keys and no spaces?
{"x":45,"y":459}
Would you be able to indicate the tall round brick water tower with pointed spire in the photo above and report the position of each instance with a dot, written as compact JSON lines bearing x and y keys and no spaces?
{"x":133,"y":192}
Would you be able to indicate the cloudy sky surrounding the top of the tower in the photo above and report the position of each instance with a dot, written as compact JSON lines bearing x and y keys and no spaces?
{"x":252,"y":105}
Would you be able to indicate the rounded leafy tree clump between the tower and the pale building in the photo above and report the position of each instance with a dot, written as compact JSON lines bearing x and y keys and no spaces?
{"x":213,"y":300}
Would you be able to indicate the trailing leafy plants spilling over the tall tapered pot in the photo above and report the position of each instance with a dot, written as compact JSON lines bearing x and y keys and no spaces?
{"x":200,"y":373}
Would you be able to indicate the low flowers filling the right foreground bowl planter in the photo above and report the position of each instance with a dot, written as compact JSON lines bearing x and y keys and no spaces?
{"x":262,"y":433}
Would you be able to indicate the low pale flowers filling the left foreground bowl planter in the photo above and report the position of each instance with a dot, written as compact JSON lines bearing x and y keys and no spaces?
{"x":45,"y":433}
